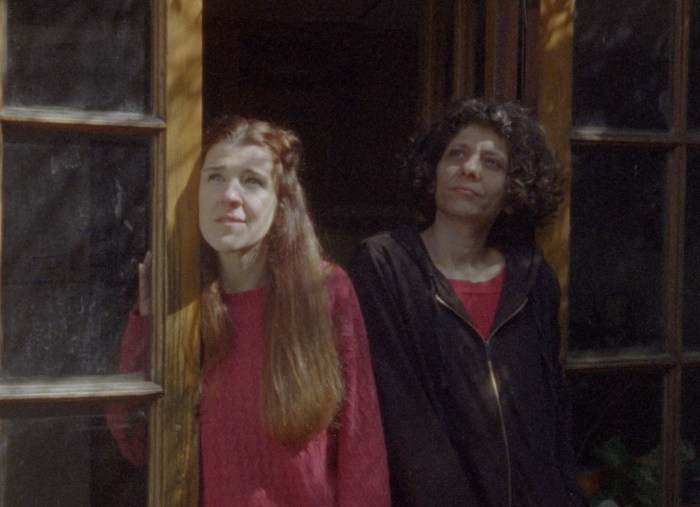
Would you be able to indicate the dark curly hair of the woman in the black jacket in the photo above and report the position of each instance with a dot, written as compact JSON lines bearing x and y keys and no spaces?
{"x":534,"y":181}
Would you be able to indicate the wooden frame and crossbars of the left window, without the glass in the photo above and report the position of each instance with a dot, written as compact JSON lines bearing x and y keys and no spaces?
{"x":174,"y":128}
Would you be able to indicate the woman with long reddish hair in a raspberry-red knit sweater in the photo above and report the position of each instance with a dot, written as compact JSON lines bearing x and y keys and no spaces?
{"x":288,"y":410}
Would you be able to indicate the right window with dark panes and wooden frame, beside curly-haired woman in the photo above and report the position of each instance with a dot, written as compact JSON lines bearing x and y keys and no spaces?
{"x":631,"y":279}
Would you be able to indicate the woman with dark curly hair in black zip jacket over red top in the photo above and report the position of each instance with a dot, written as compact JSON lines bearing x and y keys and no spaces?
{"x":461,"y":311}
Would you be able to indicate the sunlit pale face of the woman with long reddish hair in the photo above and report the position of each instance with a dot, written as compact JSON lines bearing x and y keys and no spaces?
{"x":237,"y":196}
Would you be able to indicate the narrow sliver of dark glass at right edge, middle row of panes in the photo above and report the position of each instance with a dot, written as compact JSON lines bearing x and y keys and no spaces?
{"x":691,"y":289}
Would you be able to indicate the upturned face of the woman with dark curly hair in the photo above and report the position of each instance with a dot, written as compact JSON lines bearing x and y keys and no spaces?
{"x":470,"y":179}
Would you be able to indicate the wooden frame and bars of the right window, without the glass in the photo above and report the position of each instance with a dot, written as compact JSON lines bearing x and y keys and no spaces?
{"x":554,"y":106}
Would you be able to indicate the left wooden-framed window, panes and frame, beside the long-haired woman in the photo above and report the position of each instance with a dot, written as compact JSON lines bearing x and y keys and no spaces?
{"x":93,"y":176}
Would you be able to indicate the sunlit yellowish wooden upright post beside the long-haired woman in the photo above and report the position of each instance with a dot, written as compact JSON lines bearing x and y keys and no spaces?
{"x":174,"y":459}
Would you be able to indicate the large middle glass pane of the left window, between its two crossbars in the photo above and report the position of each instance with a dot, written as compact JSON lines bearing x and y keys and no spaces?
{"x":75,"y":215}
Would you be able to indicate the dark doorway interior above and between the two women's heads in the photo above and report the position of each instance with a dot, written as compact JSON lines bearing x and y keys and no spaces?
{"x":343,"y":74}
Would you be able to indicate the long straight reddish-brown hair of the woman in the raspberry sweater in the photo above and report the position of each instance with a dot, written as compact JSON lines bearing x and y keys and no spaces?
{"x":302,"y":384}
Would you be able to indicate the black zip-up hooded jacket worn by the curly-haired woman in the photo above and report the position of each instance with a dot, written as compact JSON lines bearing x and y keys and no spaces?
{"x":453,"y":437}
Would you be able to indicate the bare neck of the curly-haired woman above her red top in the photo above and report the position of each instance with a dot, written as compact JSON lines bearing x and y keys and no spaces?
{"x":461,"y":251}
